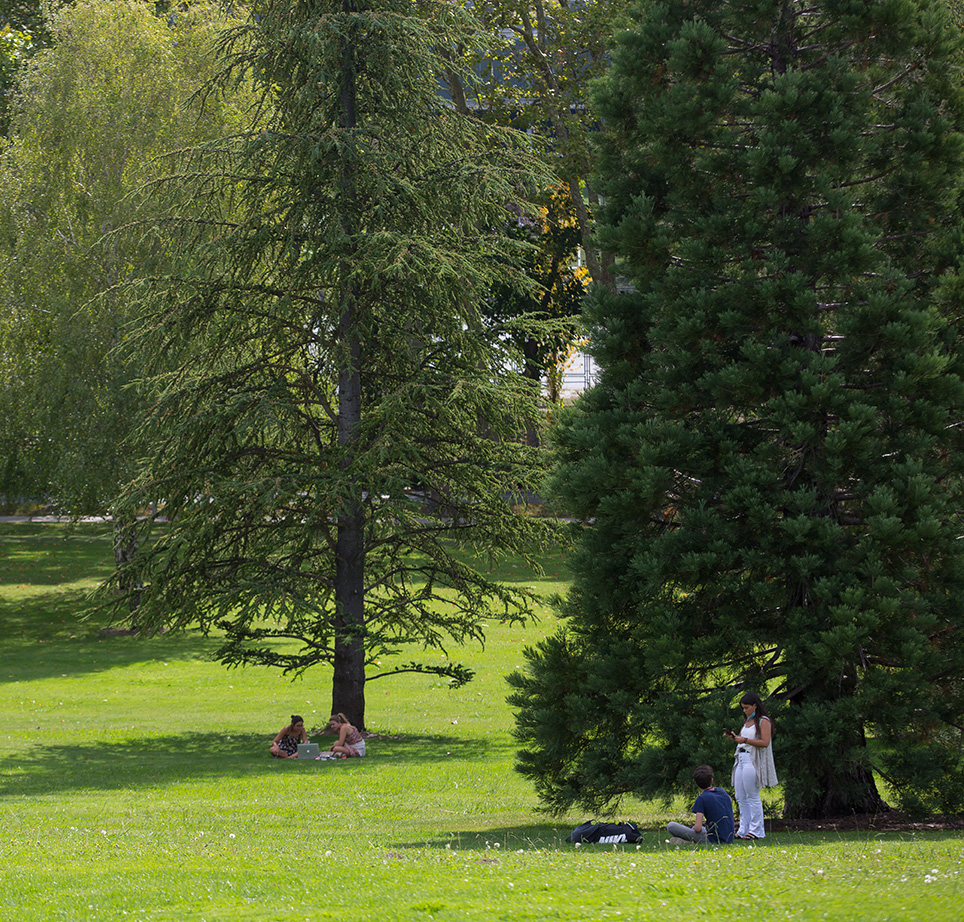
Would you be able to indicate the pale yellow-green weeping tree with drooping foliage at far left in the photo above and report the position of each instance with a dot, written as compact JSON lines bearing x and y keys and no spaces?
{"x":93,"y":113}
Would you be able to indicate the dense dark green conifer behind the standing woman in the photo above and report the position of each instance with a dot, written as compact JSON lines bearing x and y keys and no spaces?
{"x":772,"y":456}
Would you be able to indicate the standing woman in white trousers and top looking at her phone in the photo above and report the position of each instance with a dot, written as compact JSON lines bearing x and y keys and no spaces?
{"x":753,"y":767}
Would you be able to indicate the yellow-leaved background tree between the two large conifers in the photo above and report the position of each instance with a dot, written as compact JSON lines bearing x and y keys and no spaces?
{"x":533,"y":74}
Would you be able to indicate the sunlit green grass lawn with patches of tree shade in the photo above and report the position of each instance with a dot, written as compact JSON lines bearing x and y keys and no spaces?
{"x":135,"y":783}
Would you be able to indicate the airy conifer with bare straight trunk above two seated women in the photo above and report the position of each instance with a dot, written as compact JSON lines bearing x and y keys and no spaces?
{"x":332,"y":356}
